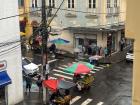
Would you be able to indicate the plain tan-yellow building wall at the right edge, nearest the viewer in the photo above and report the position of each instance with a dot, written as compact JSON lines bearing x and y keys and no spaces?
{"x":133,"y":31}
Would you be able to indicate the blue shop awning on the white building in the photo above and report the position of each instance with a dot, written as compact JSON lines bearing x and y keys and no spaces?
{"x":4,"y":79}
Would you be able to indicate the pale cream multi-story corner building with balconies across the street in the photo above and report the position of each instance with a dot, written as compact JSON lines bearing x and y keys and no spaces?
{"x":96,"y":22}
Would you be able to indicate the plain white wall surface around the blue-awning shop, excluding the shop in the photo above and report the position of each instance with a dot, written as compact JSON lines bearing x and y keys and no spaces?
{"x":9,"y":31}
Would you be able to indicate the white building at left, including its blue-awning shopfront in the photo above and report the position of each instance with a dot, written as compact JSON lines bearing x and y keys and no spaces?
{"x":11,"y":83}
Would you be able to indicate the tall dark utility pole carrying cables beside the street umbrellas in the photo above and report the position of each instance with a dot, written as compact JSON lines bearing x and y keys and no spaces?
{"x":44,"y":33}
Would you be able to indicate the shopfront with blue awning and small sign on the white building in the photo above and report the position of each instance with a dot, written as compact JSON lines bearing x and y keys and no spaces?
{"x":4,"y":81}
